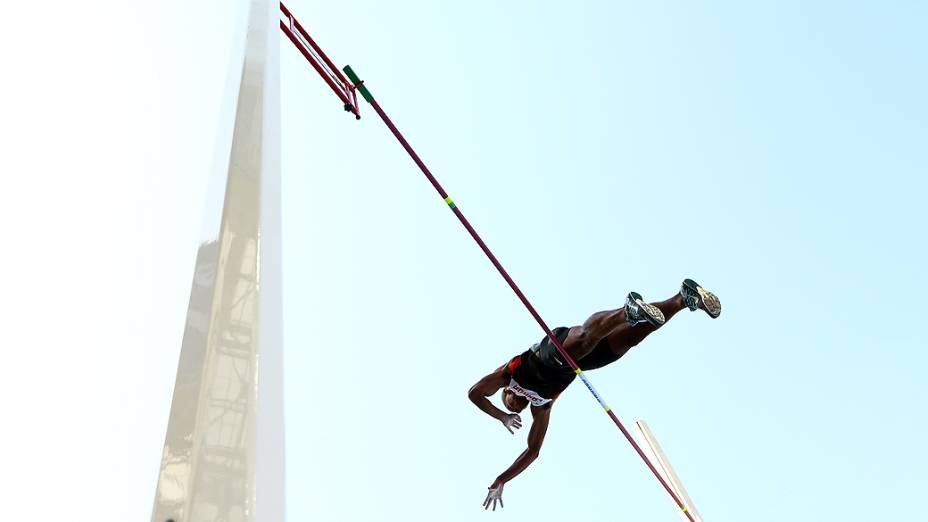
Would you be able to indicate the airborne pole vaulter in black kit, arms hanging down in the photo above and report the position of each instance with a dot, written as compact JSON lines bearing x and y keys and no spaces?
{"x":540,"y":374}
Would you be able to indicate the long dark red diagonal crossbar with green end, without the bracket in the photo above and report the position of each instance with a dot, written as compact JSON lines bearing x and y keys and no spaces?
{"x":358,"y":84}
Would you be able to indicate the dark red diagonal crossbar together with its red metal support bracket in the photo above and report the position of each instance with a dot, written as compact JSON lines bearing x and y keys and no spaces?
{"x":358,"y":85}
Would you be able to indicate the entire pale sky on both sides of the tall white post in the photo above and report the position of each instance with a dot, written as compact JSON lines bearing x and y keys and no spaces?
{"x":774,"y":151}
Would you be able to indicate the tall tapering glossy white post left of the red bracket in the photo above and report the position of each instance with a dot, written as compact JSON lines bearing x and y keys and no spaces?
{"x":223,"y":456}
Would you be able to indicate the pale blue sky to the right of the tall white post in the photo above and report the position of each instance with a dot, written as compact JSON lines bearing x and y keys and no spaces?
{"x":773,"y":151}
